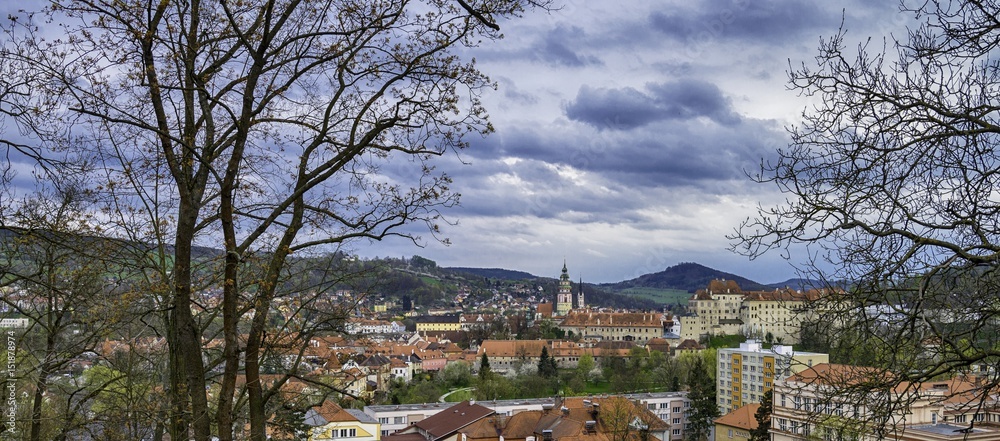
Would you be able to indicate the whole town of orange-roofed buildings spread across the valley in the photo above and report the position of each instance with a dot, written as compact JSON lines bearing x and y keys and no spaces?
{"x":529,"y":364}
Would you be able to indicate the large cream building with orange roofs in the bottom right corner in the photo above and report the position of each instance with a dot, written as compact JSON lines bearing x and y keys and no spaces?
{"x":815,"y":404}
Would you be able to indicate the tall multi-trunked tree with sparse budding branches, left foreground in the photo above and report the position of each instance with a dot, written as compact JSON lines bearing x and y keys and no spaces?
{"x":264,"y":128}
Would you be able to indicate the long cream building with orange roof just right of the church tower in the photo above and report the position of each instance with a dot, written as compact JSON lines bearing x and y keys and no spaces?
{"x":636,"y":327}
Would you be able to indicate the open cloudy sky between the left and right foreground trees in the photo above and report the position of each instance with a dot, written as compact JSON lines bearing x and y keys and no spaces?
{"x":623,"y":131}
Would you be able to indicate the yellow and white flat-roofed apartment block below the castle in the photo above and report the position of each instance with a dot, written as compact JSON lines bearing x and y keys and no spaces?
{"x":745,"y":373}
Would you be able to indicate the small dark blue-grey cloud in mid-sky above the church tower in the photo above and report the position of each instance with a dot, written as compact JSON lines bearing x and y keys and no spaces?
{"x":628,"y":108}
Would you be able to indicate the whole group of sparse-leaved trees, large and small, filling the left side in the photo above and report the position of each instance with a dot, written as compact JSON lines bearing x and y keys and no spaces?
{"x":266,"y":129}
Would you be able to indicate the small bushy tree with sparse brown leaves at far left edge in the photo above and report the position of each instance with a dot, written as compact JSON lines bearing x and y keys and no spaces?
{"x":74,"y":289}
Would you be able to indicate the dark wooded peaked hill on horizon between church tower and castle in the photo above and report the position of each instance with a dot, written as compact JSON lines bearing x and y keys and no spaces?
{"x":685,"y":276}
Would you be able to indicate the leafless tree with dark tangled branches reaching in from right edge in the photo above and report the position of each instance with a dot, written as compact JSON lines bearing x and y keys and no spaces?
{"x":891,"y":181}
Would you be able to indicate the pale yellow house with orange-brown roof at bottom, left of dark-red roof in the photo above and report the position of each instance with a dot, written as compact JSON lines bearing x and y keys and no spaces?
{"x":329,"y":422}
